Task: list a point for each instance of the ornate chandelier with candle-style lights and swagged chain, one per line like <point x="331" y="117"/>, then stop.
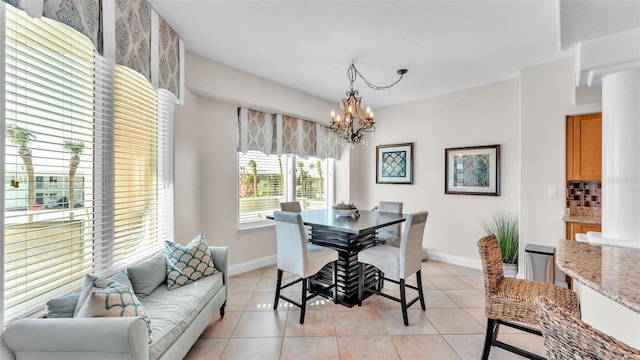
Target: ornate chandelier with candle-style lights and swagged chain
<point x="352" y="111"/>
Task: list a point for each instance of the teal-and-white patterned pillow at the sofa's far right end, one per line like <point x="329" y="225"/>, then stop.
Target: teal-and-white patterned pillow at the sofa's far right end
<point x="186" y="264"/>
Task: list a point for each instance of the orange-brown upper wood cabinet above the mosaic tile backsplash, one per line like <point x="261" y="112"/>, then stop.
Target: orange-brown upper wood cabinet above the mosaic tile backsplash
<point x="584" y="147"/>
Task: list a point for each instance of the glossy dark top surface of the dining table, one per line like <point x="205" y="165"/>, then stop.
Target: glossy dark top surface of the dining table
<point x="328" y="218"/>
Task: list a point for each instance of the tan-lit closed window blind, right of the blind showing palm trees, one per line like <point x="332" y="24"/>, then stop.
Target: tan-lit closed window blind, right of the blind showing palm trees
<point x="135" y="156"/>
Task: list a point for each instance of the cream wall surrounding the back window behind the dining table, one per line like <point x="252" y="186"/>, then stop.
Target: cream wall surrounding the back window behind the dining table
<point x="206" y="158"/>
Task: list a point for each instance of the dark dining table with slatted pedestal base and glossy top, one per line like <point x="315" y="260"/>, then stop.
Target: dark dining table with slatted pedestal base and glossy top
<point x="348" y="235"/>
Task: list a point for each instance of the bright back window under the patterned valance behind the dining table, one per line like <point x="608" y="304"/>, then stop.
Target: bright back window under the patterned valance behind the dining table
<point x="266" y="181"/>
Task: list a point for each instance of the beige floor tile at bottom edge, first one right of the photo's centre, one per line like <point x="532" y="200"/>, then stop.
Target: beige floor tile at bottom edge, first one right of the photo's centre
<point x="366" y="347"/>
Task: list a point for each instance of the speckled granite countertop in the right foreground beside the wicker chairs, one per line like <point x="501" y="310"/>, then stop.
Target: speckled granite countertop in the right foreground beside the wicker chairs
<point x="609" y="270"/>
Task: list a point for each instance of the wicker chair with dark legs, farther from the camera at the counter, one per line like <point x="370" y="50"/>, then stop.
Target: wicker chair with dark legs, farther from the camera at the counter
<point x="510" y="300"/>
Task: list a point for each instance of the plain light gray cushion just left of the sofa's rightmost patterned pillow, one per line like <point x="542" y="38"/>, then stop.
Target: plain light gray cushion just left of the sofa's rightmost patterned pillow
<point x="148" y="275"/>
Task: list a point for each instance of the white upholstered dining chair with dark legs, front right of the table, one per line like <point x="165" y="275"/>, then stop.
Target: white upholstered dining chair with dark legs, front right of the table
<point x="398" y="263"/>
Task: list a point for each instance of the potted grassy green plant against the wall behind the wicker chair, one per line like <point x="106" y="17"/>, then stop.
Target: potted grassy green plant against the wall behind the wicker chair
<point x="504" y="225"/>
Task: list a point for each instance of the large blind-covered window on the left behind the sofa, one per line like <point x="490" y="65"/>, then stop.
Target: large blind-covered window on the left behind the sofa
<point x="87" y="164"/>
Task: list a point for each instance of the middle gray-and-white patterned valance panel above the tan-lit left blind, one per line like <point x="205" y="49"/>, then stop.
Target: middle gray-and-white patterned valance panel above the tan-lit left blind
<point x="133" y="35"/>
